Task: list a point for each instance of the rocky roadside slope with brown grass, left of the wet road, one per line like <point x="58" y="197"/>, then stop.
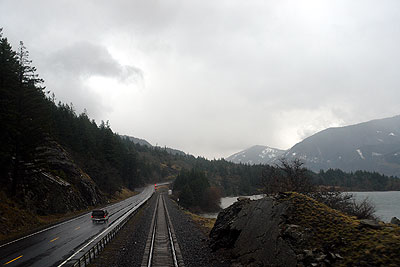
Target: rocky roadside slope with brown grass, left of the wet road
<point x="60" y="189"/>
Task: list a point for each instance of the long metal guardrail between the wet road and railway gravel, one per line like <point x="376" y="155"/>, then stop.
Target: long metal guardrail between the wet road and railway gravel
<point x="95" y="250"/>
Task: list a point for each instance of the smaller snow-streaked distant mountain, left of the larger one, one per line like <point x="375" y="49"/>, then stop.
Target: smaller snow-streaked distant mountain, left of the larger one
<point x="256" y="155"/>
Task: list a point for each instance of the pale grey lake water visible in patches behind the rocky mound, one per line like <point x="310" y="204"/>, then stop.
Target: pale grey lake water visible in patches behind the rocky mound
<point x="387" y="203"/>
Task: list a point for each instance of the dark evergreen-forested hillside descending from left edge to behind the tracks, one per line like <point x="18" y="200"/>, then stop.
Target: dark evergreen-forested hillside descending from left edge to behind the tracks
<point x="31" y="121"/>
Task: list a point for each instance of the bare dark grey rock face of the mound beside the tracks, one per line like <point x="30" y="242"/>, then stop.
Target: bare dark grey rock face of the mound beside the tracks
<point x="252" y="230"/>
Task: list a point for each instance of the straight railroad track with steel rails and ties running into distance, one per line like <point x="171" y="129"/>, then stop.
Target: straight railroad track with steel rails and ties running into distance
<point x="162" y="248"/>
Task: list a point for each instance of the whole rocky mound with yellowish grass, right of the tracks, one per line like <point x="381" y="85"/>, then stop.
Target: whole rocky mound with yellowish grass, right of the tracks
<point x="294" y="230"/>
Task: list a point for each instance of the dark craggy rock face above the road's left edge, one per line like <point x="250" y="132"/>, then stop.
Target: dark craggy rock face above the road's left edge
<point x="60" y="186"/>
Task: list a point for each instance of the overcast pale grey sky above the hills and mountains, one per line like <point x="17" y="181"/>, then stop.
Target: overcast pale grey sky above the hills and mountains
<point x="212" y="78"/>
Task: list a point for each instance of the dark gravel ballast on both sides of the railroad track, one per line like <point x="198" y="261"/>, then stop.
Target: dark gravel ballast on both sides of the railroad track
<point x="128" y="246"/>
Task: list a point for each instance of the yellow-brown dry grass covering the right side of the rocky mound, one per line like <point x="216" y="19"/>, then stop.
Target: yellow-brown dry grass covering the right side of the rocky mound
<point x="332" y="230"/>
